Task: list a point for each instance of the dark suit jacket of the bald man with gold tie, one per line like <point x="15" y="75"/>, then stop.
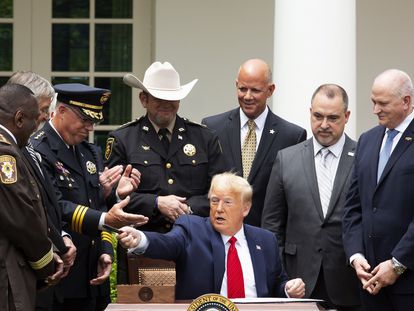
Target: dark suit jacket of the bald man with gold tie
<point x="277" y="134"/>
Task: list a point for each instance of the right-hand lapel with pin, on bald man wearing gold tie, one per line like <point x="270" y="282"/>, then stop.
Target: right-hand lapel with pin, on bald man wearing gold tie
<point x="269" y="134"/>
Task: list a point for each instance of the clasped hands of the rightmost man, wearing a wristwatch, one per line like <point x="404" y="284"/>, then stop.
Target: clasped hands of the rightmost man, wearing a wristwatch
<point x="372" y="281"/>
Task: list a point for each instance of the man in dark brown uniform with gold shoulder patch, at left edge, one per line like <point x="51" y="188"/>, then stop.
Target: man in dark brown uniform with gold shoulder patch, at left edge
<point x="26" y="253"/>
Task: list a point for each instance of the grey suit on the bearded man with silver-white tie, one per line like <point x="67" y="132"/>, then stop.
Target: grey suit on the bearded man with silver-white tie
<point x="308" y="240"/>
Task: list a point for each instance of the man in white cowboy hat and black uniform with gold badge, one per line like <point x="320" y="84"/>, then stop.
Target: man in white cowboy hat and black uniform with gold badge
<point x="176" y="157"/>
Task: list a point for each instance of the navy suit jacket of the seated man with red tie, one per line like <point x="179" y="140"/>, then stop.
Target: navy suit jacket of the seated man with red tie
<point x="199" y="254"/>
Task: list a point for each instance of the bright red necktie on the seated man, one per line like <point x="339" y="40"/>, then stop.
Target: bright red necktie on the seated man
<point x="235" y="283"/>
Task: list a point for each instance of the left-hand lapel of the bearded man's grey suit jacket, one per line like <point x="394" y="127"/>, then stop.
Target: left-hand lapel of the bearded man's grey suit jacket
<point x="308" y="160"/>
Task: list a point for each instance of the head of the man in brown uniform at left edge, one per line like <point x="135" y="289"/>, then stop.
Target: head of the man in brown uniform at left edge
<point x="18" y="111"/>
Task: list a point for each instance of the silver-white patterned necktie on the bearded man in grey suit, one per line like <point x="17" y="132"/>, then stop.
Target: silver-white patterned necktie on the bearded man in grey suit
<point x="324" y="180"/>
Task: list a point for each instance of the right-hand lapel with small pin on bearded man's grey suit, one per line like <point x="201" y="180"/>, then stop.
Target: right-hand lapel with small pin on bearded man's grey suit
<point x="344" y="167"/>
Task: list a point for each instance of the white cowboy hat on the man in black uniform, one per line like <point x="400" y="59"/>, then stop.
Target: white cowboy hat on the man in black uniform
<point x="161" y="81"/>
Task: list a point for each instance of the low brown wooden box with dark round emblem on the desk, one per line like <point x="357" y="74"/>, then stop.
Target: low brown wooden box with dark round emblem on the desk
<point x="135" y="293"/>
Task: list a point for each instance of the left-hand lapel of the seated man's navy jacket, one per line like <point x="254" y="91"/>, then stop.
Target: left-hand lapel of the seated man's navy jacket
<point x="218" y="259"/>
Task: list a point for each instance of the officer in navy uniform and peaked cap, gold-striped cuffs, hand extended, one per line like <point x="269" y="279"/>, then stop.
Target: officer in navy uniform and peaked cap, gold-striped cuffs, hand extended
<point x="74" y="166"/>
